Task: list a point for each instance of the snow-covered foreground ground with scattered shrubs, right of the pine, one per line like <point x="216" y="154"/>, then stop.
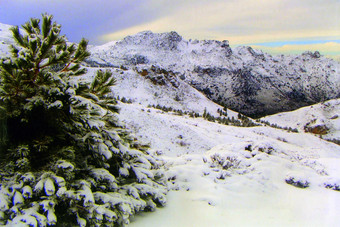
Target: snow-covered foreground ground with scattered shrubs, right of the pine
<point x="251" y="189"/>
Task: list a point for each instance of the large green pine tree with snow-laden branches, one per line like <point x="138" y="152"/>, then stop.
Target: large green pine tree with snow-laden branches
<point x="64" y="157"/>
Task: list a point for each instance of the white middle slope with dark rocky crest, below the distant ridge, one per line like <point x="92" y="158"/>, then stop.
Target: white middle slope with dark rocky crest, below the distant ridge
<point x="157" y="88"/>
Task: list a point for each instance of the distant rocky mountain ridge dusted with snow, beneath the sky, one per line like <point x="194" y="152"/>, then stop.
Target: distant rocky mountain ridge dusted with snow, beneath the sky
<point x="247" y="80"/>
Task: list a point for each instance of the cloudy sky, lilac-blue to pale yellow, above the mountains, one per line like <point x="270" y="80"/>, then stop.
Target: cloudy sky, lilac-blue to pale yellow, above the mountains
<point x="277" y="26"/>
